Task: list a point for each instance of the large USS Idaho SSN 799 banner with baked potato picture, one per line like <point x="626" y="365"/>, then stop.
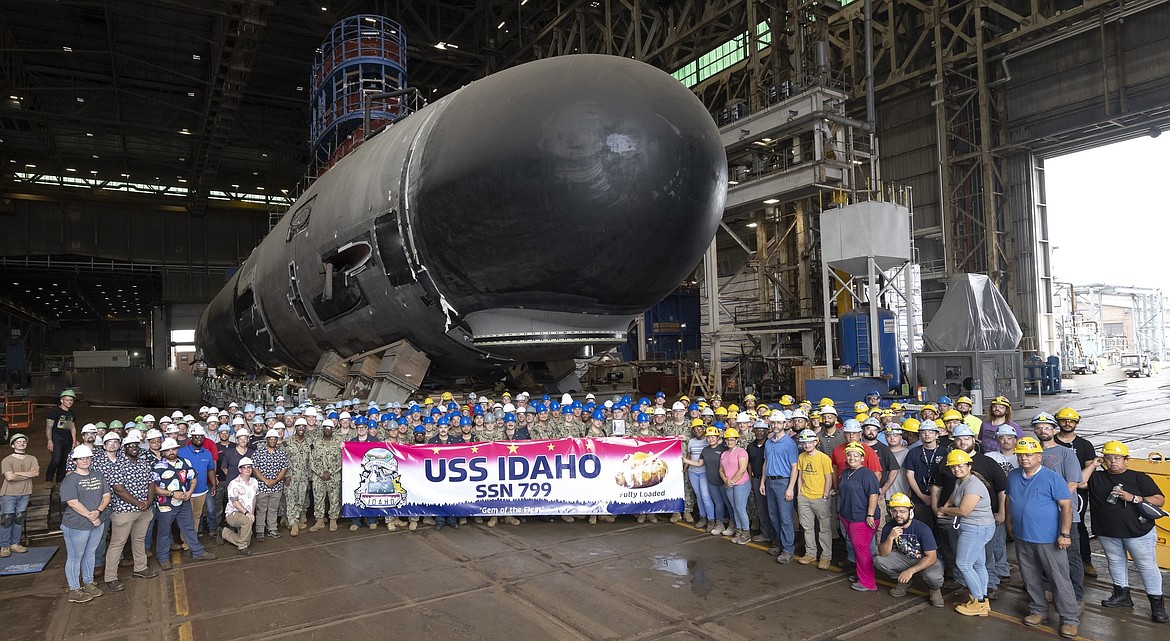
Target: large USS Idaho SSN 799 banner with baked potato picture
<point x="563" y="477"/>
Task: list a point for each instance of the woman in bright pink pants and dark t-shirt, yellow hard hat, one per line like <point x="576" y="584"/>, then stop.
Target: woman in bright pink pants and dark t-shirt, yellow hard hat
<point x="858" y="508"/>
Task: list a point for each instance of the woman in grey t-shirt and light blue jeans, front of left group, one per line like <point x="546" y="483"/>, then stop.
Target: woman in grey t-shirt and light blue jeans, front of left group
<point x="85" y="495"/>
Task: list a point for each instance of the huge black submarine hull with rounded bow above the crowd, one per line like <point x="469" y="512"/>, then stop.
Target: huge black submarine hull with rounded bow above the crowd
<point x="525" y="218"/>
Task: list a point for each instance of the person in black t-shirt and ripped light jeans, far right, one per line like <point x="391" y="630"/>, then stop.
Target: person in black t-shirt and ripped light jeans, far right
<point x="1117" y="494"/>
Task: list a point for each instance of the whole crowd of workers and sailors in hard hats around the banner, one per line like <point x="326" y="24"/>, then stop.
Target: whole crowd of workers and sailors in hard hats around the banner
<point x="935" y="497"/>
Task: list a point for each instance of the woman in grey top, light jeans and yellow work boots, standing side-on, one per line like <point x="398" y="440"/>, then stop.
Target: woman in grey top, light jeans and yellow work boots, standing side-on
<point x="971" y="505"/>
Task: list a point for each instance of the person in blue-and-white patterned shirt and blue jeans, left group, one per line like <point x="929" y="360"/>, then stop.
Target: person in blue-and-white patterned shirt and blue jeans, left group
<point x="175" y="484"/>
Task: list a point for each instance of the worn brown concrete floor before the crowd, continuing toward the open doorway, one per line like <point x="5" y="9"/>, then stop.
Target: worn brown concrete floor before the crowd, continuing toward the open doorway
<point x="558" y="581"/>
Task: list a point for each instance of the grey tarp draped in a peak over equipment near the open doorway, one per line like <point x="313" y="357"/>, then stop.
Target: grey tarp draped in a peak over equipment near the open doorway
<point x="974" y="318"/>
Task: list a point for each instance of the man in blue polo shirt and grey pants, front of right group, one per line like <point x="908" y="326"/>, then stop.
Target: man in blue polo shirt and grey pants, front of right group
<point x="1041" y="520"/>
